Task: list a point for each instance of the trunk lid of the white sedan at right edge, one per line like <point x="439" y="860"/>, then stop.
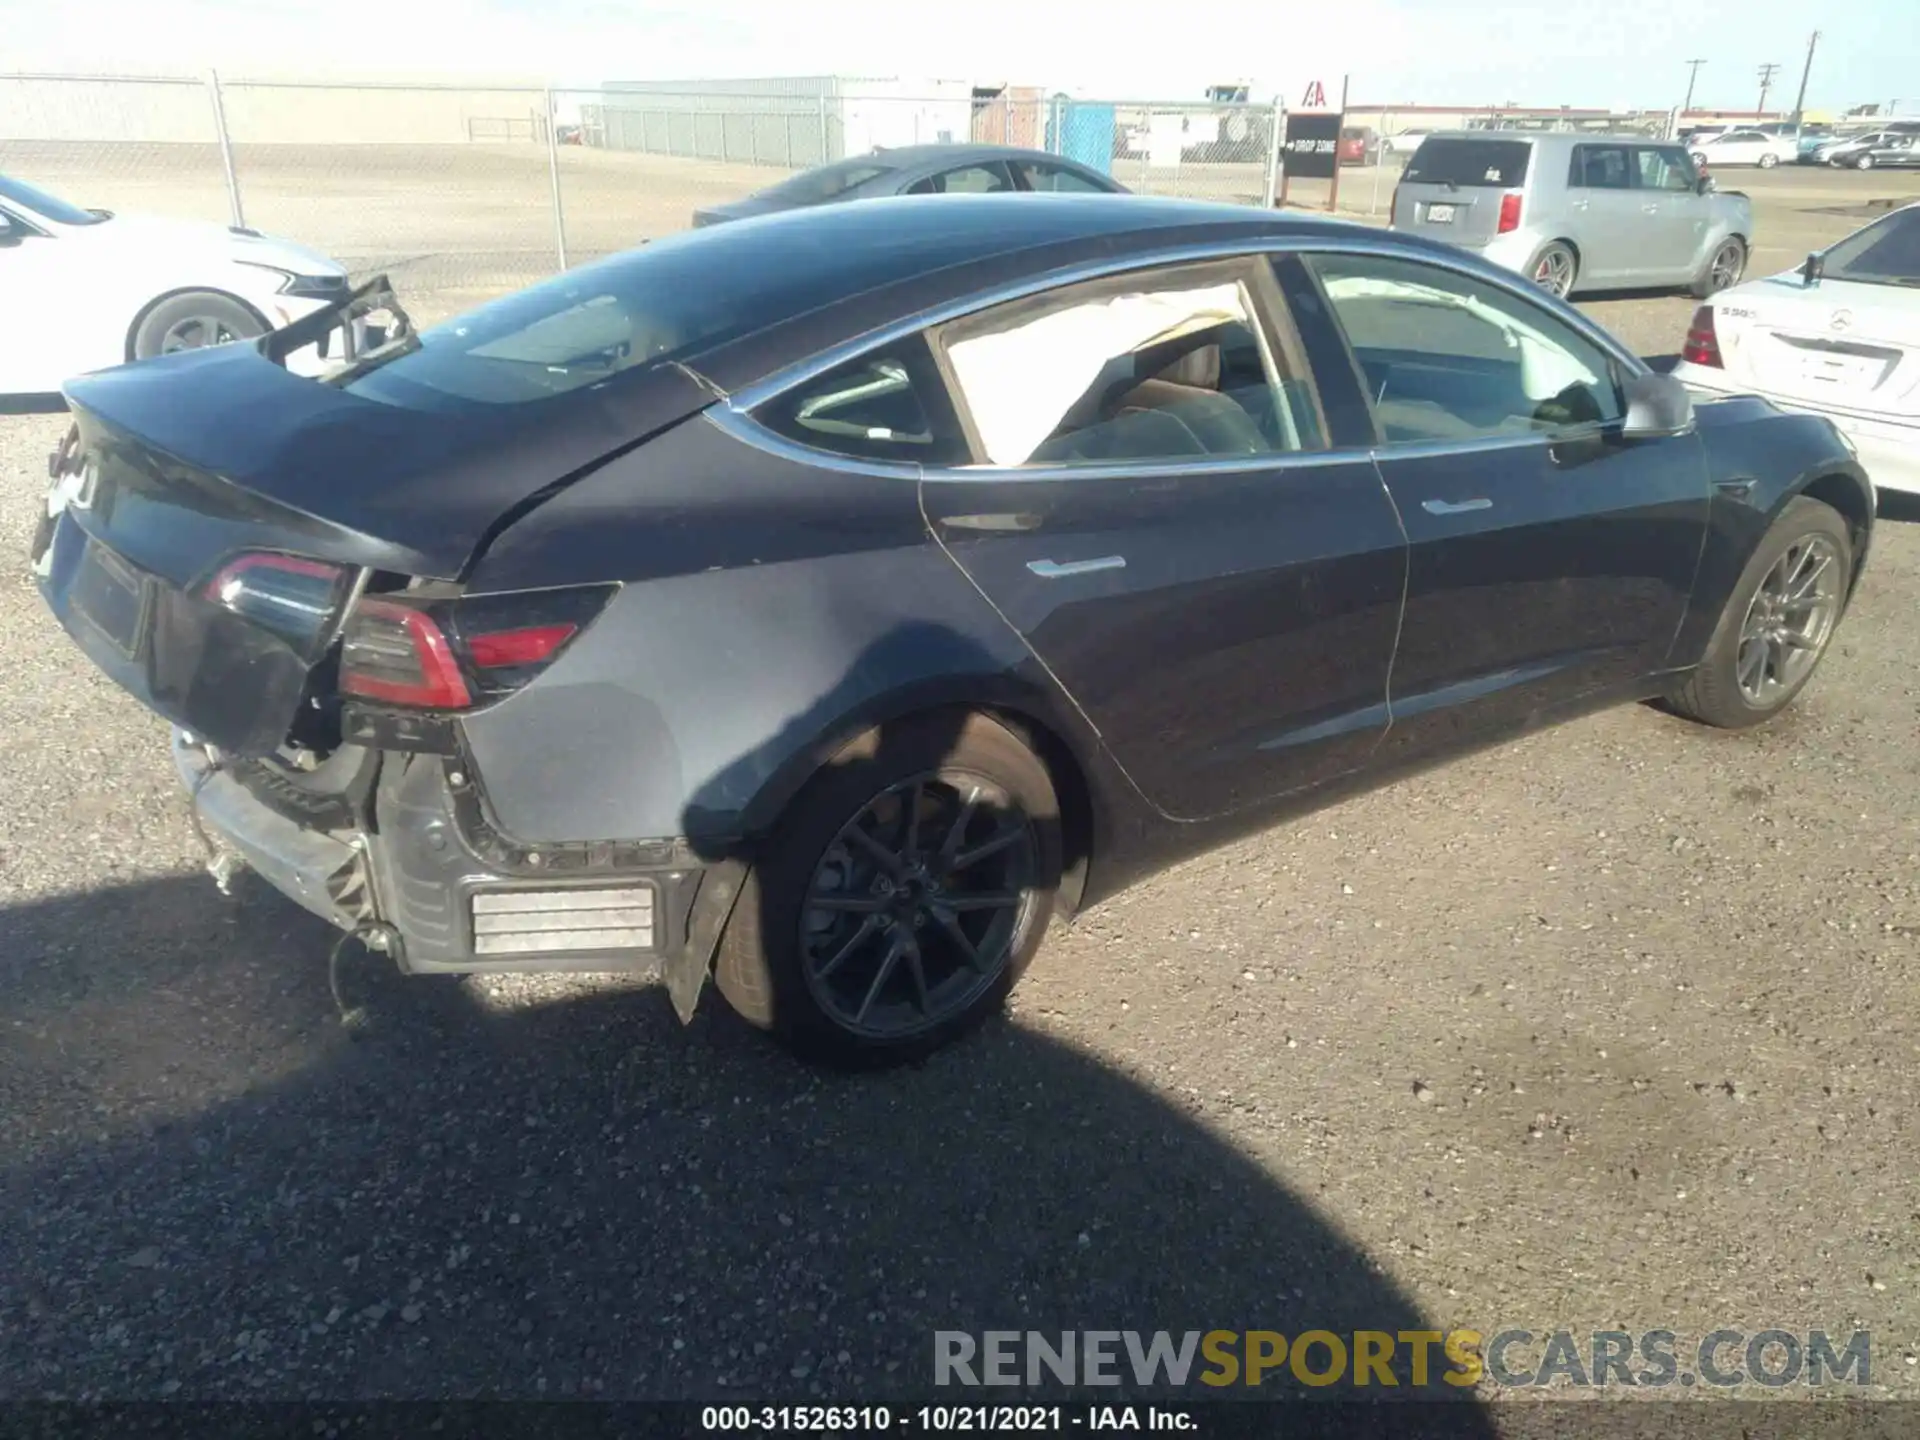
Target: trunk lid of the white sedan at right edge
<point x="1833" y="347"/>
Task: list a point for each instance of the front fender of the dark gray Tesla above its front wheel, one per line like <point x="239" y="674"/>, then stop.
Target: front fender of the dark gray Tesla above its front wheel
<point x="1760" y="458"/>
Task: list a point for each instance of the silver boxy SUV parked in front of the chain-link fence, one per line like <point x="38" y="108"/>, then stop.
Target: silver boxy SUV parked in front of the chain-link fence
<point x="1577" y="212"/>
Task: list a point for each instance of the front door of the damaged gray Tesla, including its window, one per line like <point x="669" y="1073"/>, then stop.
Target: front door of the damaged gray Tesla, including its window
<point x="1548" y="558"/>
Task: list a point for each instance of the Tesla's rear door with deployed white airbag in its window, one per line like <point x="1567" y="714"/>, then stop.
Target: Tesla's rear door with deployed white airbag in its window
<point x="1157" y="512"/>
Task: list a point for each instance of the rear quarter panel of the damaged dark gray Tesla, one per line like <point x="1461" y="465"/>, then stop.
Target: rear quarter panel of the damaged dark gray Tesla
<point x="769" y="613"/>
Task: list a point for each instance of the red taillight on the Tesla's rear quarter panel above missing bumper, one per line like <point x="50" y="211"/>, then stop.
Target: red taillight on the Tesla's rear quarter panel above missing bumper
<point x="452" y="654"/>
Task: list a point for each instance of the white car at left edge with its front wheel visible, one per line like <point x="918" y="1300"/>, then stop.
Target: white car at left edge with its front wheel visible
<point x="87" y="289"/>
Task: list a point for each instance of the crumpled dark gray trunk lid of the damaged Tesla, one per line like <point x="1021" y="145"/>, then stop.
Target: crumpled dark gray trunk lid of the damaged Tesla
<point x="191" y="462"/>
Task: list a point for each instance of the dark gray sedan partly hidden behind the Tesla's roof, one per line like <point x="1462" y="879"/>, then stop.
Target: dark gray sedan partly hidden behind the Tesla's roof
<point x="921" y="172"/>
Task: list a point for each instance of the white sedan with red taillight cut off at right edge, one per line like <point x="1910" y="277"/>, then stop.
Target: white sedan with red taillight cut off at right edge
<point x="1838" y="337"/>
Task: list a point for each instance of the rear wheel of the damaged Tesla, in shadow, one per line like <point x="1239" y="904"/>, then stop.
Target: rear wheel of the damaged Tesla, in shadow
<point x="901" y="898"/>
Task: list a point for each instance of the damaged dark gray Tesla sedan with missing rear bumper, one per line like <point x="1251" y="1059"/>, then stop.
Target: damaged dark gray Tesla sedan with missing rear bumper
<point x="823" y="602"/>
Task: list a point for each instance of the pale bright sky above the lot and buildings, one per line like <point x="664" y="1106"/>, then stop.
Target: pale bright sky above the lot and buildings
<point x="1474" y="53"/>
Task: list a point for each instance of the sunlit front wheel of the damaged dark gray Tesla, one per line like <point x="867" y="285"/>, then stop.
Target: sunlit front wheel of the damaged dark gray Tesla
<point x="1779" y="621"/>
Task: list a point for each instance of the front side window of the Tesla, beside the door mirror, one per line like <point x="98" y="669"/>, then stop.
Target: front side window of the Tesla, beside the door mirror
<point x="1449" y="358"/>
